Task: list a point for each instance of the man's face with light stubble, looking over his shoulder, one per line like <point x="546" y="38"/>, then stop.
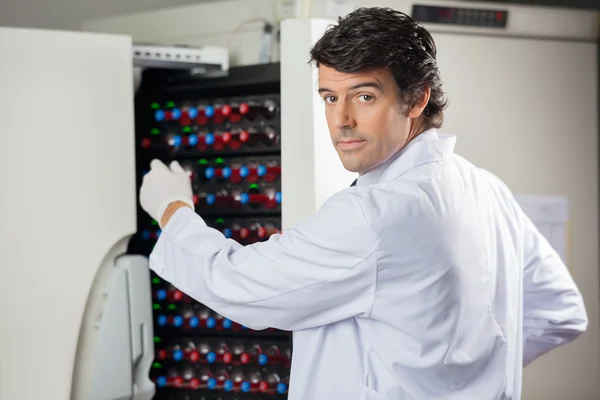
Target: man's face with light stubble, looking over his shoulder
<point x="366" y="120"/>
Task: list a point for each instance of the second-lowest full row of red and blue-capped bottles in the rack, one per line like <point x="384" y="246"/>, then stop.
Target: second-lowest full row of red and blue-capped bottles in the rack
<point x="226" y="352"/>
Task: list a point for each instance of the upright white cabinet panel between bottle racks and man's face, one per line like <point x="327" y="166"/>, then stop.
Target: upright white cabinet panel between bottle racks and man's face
<point x="311" y="169"/>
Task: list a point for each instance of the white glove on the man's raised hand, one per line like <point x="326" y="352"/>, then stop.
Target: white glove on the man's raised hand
<point x="161" y="186"/>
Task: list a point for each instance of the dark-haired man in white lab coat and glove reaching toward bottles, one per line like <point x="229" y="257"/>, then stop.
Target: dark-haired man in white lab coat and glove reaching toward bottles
<point x="423" y="281"/>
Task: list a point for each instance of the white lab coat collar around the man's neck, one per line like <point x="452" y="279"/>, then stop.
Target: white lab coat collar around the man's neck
<point x="429" y="146"/>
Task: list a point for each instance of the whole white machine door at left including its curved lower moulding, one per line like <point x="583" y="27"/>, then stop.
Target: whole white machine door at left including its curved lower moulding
<point x="75" y="308"/>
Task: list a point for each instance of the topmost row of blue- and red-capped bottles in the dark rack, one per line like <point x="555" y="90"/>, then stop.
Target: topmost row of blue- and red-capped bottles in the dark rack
<point x="219" y="112"/>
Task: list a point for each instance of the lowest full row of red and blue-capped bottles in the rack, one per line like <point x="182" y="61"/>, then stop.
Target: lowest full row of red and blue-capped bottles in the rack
<point x="236" y="380"/>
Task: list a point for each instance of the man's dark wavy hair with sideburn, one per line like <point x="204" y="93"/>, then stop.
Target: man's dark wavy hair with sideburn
<point x="382" y="38"/>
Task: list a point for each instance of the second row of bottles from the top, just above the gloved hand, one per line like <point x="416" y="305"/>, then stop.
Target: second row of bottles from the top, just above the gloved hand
<point x="221" y="140"/>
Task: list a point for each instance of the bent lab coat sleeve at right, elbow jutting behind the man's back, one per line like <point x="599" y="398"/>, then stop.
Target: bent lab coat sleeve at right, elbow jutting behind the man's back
<point x="553" y="309"/>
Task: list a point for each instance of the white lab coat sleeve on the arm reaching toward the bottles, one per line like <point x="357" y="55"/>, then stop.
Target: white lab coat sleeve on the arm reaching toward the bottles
<point x="316" y="273"/>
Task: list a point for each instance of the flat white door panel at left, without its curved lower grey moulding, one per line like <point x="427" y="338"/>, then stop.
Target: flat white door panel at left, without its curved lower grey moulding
<point x="67" y="183"/>
